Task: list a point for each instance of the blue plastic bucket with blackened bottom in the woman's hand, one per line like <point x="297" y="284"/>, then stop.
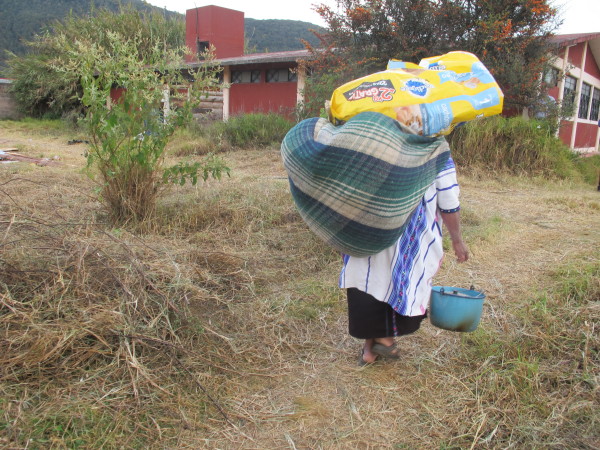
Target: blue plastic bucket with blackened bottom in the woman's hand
<point x="455" y="309"/>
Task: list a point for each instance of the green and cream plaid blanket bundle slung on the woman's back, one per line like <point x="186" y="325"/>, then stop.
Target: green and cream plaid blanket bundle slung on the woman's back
<point x="356" y="185"/>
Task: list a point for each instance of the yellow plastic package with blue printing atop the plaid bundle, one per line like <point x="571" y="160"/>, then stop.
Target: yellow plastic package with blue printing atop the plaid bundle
<point x="430" y="98"/>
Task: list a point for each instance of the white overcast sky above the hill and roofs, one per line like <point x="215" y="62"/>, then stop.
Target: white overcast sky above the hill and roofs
<point x="580" y="16"/>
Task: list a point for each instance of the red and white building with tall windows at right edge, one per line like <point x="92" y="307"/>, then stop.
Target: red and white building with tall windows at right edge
<point x="575" y="77"/>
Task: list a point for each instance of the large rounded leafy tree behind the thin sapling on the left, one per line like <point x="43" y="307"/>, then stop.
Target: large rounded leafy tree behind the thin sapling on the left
<point x="42" y="91"/>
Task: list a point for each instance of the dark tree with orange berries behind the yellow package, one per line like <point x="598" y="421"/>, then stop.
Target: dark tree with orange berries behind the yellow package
<point x="509" y="36"/>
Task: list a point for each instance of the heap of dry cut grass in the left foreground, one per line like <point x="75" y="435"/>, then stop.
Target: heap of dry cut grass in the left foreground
<point x="97" y="342"/>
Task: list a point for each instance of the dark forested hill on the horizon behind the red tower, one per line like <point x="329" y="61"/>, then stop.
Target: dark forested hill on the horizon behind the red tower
<point x="22" y="19"/>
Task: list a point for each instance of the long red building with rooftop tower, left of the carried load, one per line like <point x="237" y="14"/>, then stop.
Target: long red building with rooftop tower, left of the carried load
<point x="261" y="82"/>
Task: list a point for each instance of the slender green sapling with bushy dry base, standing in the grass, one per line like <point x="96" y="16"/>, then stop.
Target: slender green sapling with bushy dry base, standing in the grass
<point x="129" y="134"/>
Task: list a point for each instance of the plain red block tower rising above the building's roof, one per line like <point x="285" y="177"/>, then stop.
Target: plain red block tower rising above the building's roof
<point x="222" y="27"/>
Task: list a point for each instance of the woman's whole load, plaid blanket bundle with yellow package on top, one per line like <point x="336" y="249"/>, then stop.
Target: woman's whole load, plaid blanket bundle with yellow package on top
<point x="357" y="178"/>
